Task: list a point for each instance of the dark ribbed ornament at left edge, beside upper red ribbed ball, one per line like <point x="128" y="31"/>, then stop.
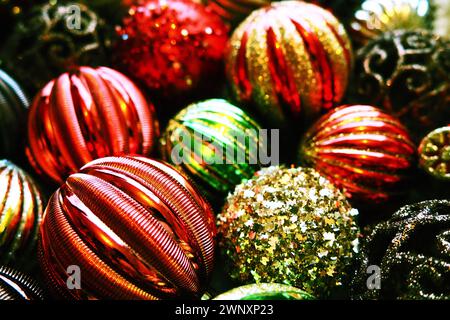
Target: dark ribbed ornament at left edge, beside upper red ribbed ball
<point x="13" y="107"/>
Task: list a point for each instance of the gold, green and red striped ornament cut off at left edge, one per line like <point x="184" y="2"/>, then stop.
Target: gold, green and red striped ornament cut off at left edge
<point x="20" y="215"/>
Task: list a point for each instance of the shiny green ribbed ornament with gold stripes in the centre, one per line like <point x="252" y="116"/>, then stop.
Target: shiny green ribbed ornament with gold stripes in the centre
<point x="214" y="143"/>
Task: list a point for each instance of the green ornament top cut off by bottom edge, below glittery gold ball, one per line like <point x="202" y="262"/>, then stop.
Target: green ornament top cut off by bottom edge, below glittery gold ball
<point x="265" y="291"/>
